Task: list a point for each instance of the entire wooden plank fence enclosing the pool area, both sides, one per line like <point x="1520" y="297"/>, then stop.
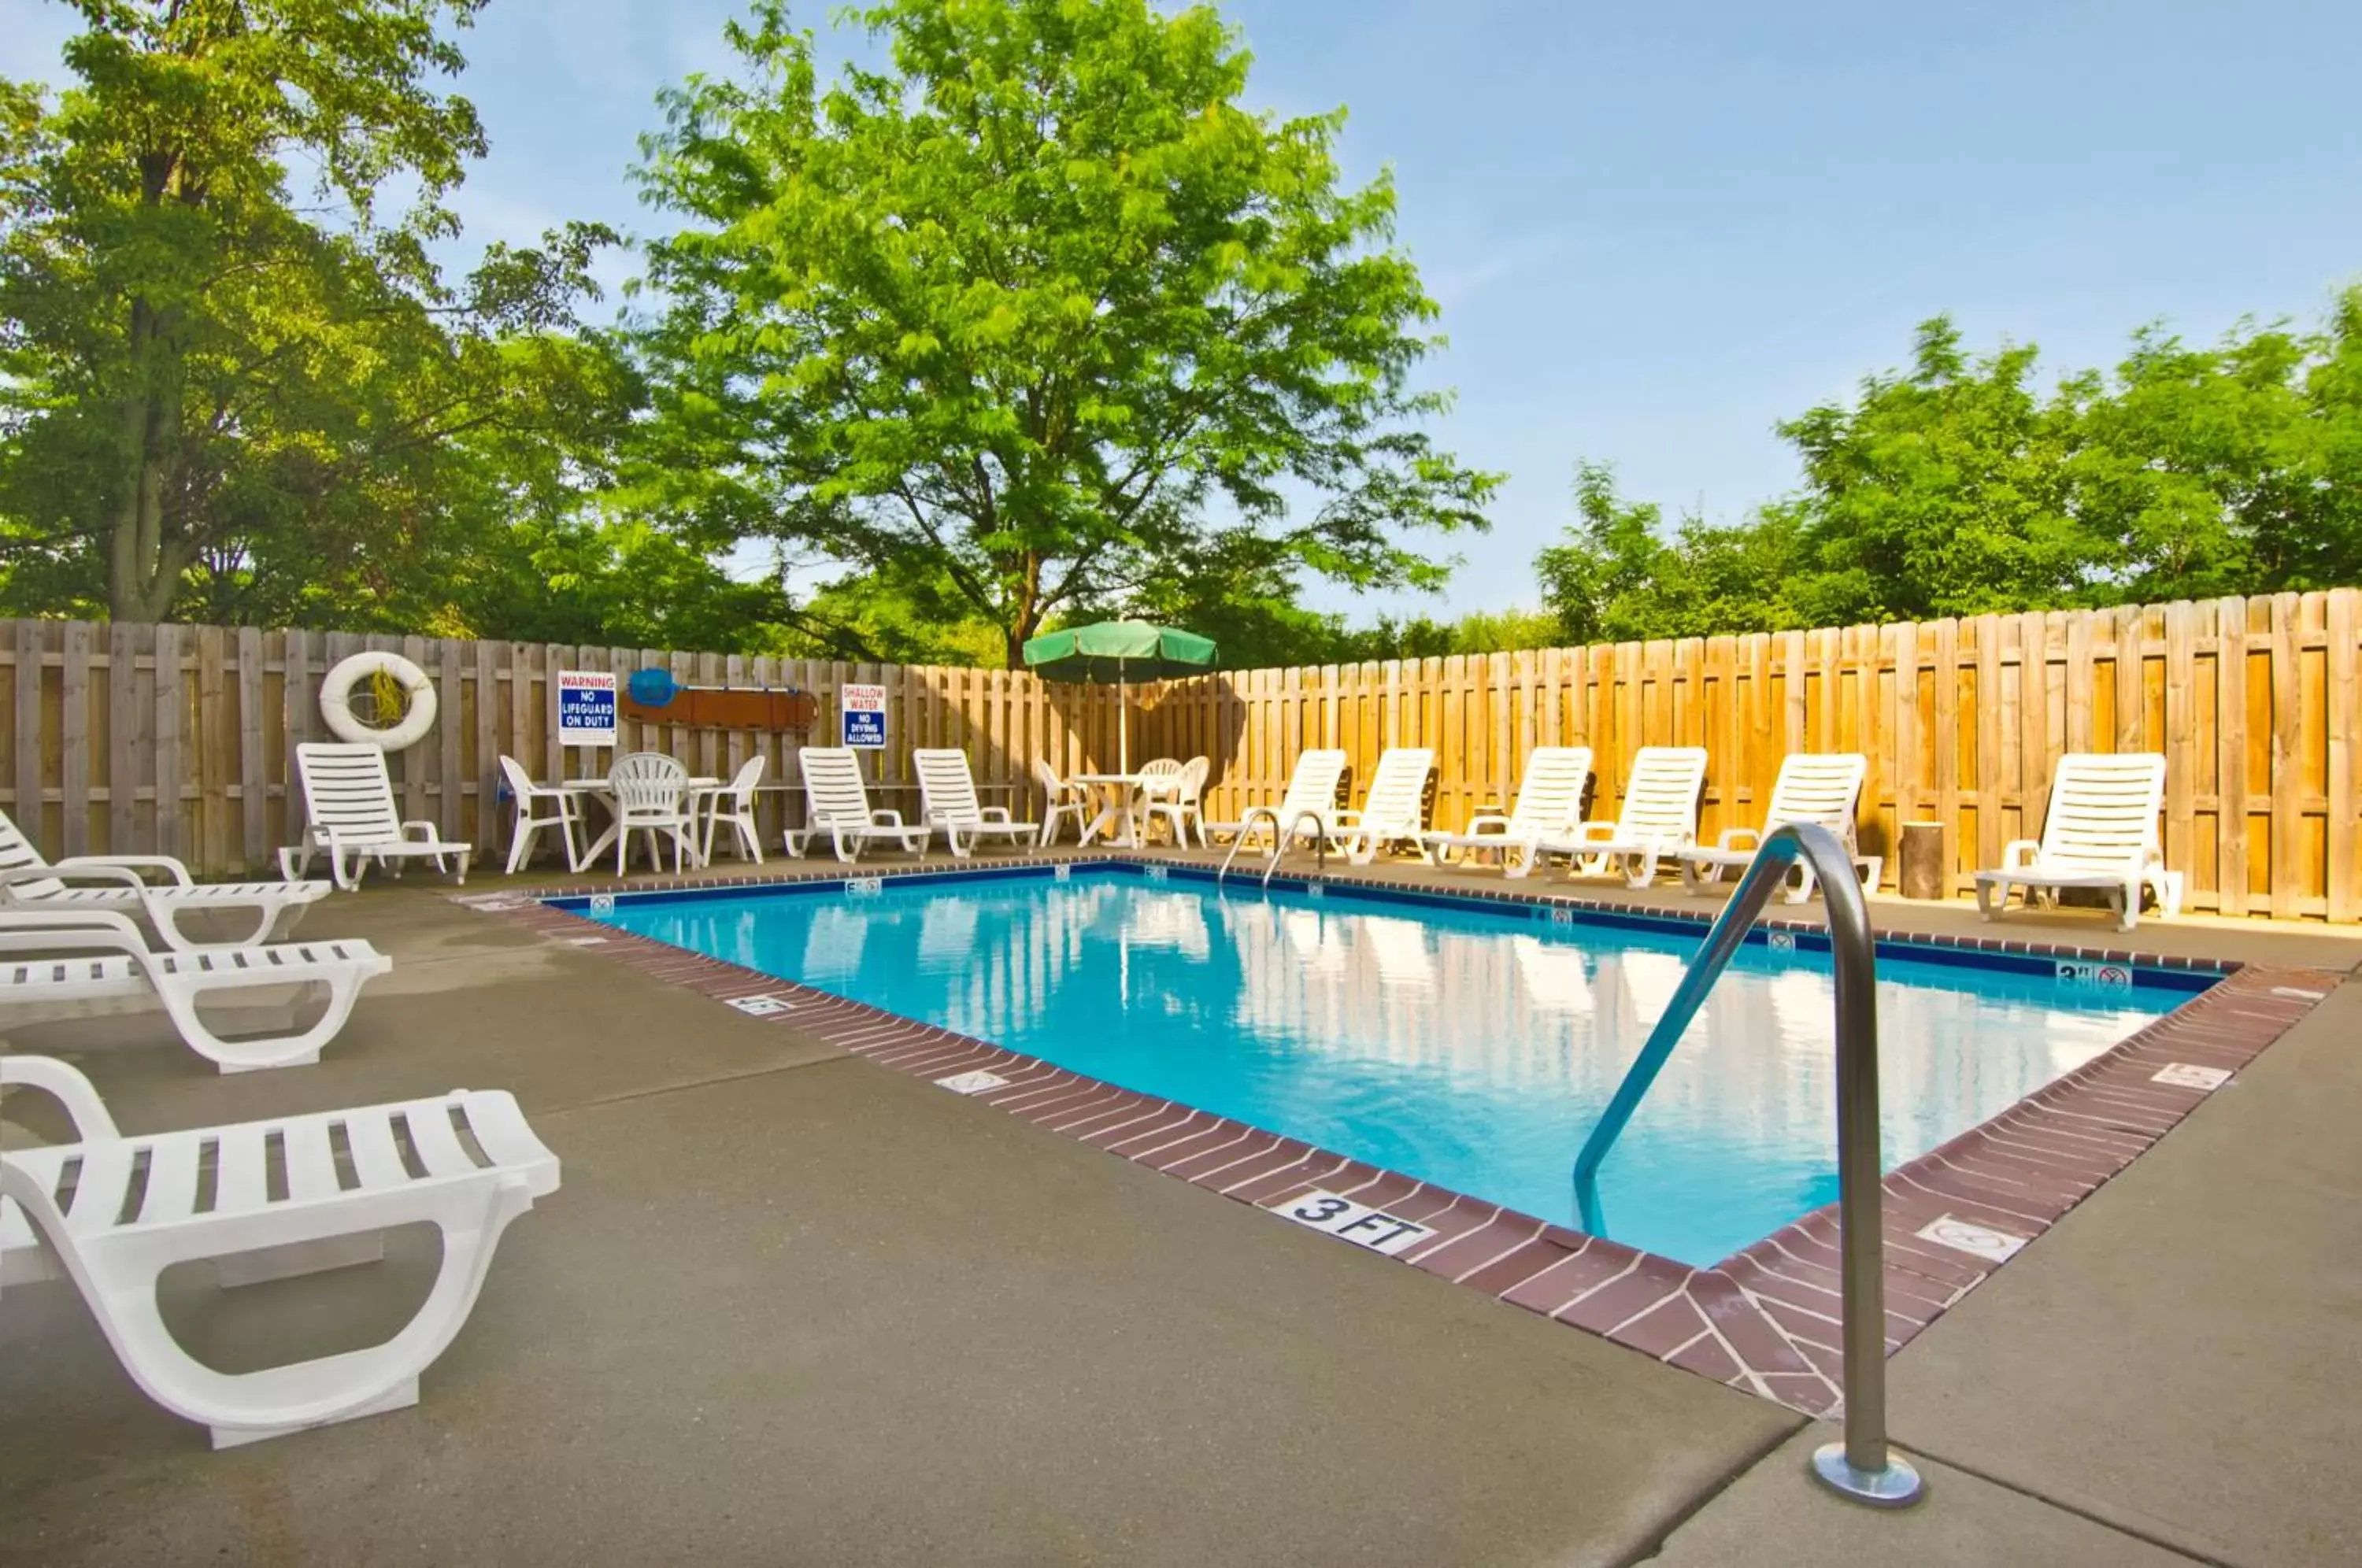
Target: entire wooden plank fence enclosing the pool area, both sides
<point x="181" y="740"/>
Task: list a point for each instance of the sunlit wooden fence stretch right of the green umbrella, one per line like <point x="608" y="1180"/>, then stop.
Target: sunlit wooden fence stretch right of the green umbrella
<point x="2255" y="705"/>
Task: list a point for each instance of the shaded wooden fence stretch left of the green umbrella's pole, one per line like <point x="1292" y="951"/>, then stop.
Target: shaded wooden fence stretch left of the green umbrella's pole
<point x="181" y="740"/>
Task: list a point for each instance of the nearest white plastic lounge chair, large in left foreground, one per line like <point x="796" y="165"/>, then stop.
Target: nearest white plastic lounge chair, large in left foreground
<point x="74" y="1196"/>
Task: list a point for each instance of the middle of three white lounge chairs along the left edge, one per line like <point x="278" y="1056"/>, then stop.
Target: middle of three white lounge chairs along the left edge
<point x="110" y="960"/>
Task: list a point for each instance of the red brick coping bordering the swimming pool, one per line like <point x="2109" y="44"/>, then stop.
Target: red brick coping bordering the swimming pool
<point x="1763" y="1319"/>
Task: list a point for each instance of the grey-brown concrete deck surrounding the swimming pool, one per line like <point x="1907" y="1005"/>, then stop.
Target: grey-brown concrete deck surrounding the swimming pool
<point x="797" y="1309"/>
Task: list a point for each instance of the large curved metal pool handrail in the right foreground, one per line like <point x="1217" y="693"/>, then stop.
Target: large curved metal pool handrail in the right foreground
<point x="1860" y="1468"/>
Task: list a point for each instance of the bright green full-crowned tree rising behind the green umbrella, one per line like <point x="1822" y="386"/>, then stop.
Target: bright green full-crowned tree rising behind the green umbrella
<point x="1040" y="311"/>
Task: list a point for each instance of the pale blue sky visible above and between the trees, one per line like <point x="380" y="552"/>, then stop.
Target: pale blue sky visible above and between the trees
<point x="1657" y="230"/>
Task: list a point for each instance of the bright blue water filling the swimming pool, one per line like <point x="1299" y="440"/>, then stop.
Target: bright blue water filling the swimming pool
<point x="1463" y="1045"/>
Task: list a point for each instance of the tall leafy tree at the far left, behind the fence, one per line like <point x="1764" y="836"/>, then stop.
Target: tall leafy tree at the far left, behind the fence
<point x="218" y="403"/>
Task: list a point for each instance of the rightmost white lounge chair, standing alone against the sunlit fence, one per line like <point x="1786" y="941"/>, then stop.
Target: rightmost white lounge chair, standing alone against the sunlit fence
<point x="2101" y="832"/>
